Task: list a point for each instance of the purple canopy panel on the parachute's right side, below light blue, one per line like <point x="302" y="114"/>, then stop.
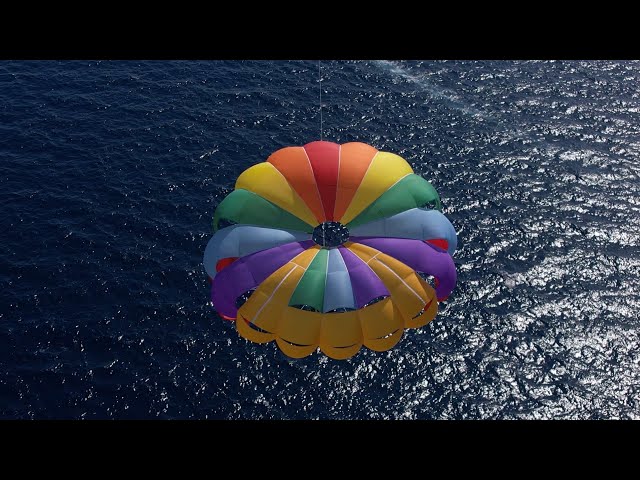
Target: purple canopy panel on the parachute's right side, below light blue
<point x="420" y="256"/>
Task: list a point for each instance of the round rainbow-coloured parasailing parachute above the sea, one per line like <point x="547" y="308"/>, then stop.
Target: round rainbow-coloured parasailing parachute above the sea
<point x="330" y="246"/>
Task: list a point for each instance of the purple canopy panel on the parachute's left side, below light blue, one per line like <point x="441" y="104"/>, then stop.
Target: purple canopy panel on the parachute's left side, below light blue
<point x="249" y="272"/>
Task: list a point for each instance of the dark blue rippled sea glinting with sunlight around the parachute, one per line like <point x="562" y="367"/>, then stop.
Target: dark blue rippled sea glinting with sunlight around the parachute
<point x="110" y="172"/>
